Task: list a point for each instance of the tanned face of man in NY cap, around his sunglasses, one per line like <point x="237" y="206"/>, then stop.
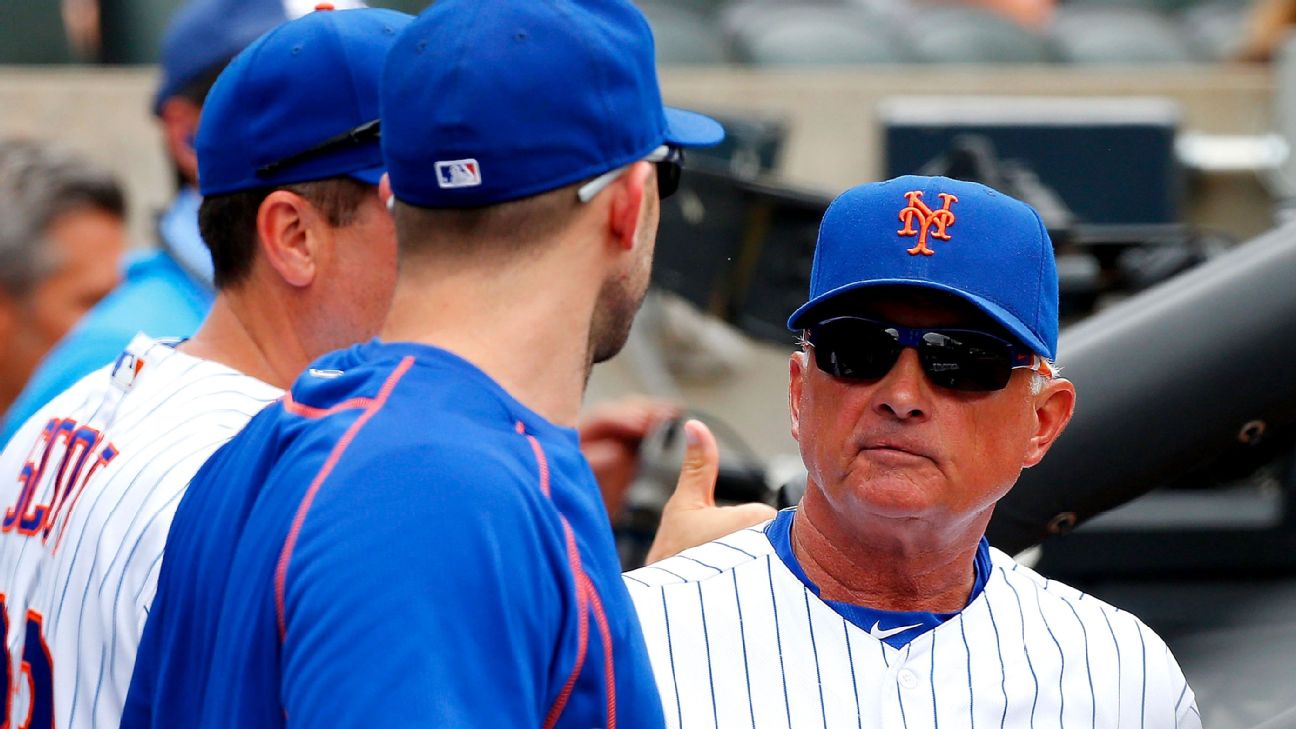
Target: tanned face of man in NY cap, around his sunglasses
<point x="901" y="448"/>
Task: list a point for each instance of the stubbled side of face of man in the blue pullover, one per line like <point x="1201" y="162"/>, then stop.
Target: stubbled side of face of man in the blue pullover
<point x="624" y="293"/>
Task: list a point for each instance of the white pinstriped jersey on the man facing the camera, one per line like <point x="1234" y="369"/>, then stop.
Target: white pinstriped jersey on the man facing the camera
<point x="738" y="640"/>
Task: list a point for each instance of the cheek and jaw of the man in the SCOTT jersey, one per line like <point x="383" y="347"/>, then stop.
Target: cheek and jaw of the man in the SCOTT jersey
<point x="362" y="277"/>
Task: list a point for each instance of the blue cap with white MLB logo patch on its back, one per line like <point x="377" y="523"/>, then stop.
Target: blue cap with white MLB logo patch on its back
<point x="484" y="103"/>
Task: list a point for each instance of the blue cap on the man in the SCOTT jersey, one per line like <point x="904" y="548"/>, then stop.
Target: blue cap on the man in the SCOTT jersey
<point x="300" y="104"/>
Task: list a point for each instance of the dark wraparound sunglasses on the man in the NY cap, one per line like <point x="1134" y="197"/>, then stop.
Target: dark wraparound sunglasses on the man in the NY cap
<point x="853" y="348"/>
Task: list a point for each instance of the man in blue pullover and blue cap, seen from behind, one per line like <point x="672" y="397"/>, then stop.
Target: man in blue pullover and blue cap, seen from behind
<point x="411" y="538"/>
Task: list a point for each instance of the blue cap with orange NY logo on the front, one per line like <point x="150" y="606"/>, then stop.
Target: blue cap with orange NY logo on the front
<point x="947" y="235"/>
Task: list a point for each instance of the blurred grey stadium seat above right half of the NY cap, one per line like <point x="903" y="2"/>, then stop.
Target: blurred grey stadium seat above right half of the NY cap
<point x="971" y="36"/>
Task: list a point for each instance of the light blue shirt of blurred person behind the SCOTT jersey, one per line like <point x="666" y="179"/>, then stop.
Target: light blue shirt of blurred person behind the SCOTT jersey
<point x="164" y="294"/>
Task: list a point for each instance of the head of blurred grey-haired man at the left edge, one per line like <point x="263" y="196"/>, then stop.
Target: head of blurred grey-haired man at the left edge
<point x="62" y="242"/>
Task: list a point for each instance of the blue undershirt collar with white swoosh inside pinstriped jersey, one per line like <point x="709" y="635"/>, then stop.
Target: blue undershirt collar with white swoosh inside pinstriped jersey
<point x="894" y="628"/>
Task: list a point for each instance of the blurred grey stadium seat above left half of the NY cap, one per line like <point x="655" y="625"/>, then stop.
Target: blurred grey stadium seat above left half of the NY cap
<point x="781" y="36"/>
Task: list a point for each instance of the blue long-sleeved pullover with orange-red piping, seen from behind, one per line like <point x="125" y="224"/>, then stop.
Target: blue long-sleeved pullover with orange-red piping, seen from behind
<point x="399" y="543"/>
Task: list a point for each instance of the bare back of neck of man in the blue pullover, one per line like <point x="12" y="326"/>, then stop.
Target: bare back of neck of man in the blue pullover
<point x="526" y="326"/>
